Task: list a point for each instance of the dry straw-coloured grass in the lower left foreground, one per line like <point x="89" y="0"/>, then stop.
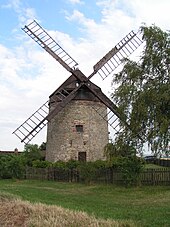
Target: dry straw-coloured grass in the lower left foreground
<point x="15" y="212"/>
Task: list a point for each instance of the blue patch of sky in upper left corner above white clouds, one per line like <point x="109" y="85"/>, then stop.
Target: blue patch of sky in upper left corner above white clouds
<point x="49" y="12"/>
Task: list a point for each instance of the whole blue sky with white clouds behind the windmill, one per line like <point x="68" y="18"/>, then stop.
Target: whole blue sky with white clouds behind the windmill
<point x="86" y="29"/>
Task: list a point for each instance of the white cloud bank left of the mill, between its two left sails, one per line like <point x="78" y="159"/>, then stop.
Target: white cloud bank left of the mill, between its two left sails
<point x="27" y="77"/>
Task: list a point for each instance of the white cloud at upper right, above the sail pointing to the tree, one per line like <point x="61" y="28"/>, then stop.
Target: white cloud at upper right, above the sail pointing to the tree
<point x="118" y="18"/>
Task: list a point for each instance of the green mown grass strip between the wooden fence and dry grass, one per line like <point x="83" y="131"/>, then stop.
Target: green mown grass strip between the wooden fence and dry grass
<point x="147" y="206"/>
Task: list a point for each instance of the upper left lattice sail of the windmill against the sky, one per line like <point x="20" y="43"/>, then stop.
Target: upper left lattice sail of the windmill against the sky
<point x="39" y="35"/>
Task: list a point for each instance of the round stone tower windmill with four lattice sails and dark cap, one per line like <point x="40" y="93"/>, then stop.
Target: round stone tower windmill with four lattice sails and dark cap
<point x="77" y="113"/>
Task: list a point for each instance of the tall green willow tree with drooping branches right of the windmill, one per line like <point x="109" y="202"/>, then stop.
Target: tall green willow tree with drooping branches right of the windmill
<point x="143" y="92"/>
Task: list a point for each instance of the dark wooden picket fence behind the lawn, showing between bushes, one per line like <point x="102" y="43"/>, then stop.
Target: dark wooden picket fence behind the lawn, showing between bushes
<point x="108" y="176"/>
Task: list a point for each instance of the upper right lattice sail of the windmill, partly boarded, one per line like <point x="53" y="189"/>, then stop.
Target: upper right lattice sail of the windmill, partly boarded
<point x="115" y="56"/>
